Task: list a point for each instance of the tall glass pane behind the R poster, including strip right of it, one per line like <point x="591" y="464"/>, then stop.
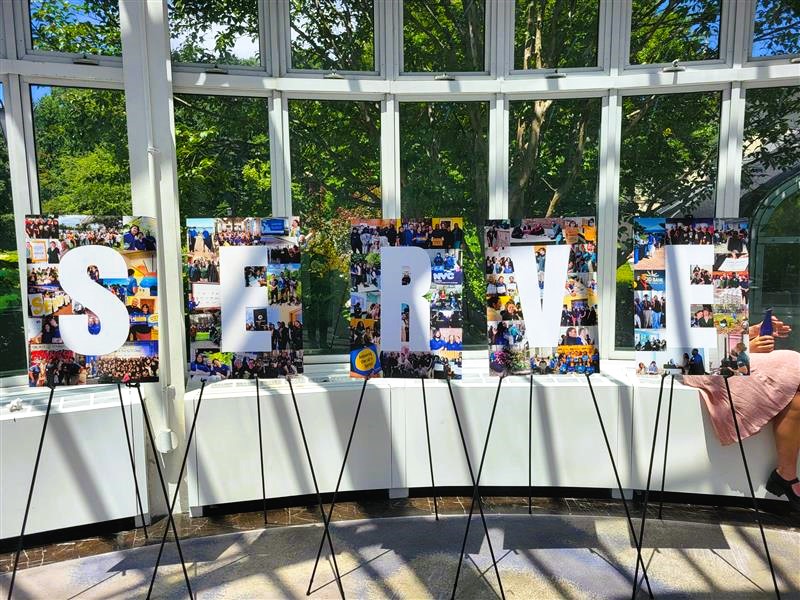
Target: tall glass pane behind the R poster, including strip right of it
<point x="444" y="157"/>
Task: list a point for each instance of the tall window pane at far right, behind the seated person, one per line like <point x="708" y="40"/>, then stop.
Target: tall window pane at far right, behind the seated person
<point x="771" y="198"/>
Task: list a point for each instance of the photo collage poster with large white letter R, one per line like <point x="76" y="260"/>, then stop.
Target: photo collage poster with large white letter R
<point x="406" y="314"/>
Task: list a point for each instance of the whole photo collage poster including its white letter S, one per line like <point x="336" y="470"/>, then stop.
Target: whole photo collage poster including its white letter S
<point x="113" y="305"/>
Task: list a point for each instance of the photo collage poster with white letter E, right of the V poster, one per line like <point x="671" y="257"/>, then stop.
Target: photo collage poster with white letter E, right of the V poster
<point x="691" y="283"/>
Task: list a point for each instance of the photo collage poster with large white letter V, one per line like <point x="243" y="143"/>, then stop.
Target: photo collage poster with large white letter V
<point x="515" y="268"/>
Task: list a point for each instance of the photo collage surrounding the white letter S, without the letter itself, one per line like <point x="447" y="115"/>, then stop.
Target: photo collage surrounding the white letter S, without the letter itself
<point x="48" y="239"/>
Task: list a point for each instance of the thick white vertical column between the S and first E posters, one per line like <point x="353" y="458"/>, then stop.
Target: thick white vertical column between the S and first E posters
<point x="154" y="188"/>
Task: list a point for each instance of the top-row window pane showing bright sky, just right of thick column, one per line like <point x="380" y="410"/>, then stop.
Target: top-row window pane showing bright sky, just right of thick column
<point x="214" y="32"/>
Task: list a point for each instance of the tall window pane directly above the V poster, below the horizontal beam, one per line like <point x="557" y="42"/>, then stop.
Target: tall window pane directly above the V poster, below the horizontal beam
<point x="554" y="157"/>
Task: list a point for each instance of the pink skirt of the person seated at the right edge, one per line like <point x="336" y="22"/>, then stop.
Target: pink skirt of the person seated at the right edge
<point x="773" y="381"/>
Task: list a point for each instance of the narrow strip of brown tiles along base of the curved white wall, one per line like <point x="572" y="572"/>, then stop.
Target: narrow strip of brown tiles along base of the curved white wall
<point x="245" y="521"/>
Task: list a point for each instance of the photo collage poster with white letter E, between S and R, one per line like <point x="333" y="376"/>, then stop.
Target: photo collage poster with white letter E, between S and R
<point x="276" y="307"/>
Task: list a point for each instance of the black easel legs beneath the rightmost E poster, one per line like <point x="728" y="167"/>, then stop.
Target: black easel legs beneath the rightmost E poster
<point x="666" y="446"/>
